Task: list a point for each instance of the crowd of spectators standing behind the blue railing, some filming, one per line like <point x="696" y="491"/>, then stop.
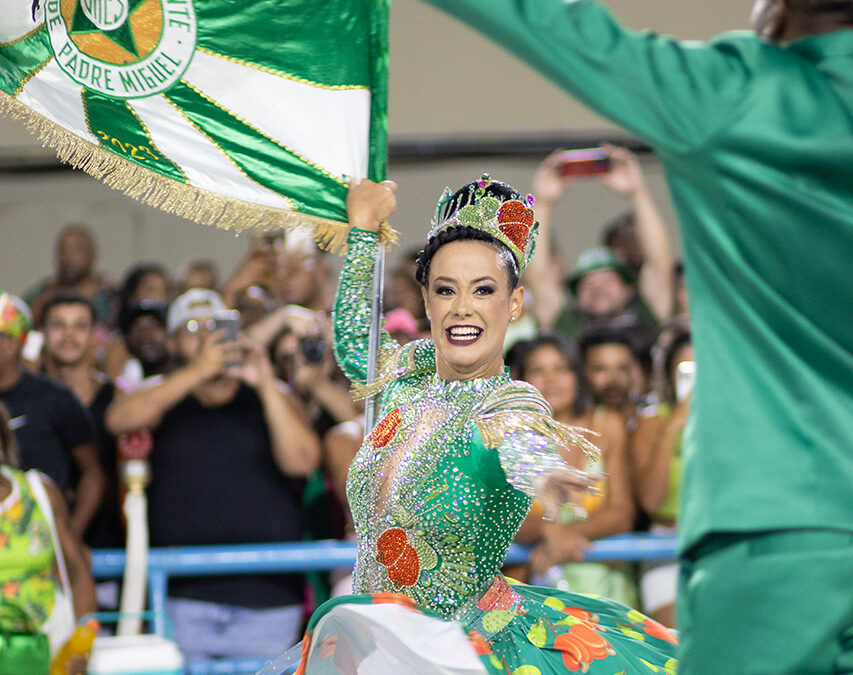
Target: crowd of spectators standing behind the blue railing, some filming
<point x="252" y="426"/>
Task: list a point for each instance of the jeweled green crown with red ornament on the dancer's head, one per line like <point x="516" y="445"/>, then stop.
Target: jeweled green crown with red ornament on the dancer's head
<point x="510" y="221"/>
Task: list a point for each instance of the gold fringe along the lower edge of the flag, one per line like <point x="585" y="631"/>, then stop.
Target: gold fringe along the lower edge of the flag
<point x="186" y="201"/>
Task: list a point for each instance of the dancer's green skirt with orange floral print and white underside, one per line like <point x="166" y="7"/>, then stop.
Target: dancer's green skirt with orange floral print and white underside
<point x="514" y="629"/>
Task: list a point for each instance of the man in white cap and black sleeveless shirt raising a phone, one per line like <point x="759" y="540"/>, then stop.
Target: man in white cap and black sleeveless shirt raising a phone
<point x="227" y="446"/>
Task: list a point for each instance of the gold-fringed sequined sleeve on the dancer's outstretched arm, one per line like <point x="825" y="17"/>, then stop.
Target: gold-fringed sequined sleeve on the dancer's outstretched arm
<point x="516" y="422"/>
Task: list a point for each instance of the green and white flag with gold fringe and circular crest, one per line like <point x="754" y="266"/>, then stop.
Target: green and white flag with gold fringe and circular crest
<point x="238" y="113"/>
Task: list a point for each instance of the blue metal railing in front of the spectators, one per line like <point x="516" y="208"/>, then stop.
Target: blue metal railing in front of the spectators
<point x="190" y="561"/>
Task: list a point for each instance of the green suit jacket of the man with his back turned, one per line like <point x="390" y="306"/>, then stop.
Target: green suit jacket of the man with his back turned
<point x="757" y="143"/>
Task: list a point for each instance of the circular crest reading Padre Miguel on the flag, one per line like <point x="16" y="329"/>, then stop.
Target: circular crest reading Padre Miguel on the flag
<point x="122" y="48"/>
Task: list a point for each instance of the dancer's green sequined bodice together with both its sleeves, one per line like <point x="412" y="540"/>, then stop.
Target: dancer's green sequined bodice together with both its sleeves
<point x="443" y="481"/>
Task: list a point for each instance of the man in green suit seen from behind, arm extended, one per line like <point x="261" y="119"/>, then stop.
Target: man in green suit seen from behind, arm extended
<point x="755" y="132"/>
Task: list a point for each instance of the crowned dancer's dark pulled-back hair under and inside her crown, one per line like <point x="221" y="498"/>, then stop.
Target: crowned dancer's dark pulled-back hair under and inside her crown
<point x="462" y="197"/>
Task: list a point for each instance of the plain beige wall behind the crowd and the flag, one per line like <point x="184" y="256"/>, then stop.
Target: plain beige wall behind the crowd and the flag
<point x="446" y="81"/>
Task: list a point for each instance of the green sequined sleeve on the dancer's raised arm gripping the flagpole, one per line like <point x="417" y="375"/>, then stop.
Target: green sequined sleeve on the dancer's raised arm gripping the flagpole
<point x="352" y="309"/>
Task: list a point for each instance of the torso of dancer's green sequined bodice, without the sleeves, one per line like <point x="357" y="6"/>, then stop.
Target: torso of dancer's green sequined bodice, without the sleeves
<point x="433" y="512"/>
